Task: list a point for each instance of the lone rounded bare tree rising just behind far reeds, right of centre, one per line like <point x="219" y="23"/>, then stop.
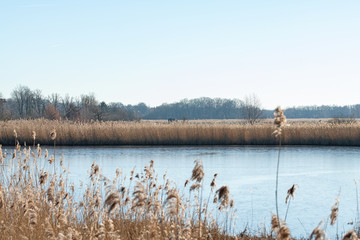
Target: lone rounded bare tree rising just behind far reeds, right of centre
<point x="252" y="108"/>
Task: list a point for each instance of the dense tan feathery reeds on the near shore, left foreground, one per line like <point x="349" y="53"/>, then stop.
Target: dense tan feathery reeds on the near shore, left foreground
<point x="40" y="202"/>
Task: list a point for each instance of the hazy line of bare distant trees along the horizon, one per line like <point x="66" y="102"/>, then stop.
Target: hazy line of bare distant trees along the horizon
<point x="29" y="104"/>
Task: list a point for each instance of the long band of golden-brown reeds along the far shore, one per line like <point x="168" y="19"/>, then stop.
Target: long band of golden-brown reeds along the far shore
<point x="179" y="133"/>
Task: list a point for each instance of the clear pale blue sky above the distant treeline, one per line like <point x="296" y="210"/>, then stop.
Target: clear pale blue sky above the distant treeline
<point x="288" y="53"/>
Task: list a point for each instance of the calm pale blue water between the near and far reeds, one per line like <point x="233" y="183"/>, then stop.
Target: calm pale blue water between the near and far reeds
<point x="321" y="173"/>
